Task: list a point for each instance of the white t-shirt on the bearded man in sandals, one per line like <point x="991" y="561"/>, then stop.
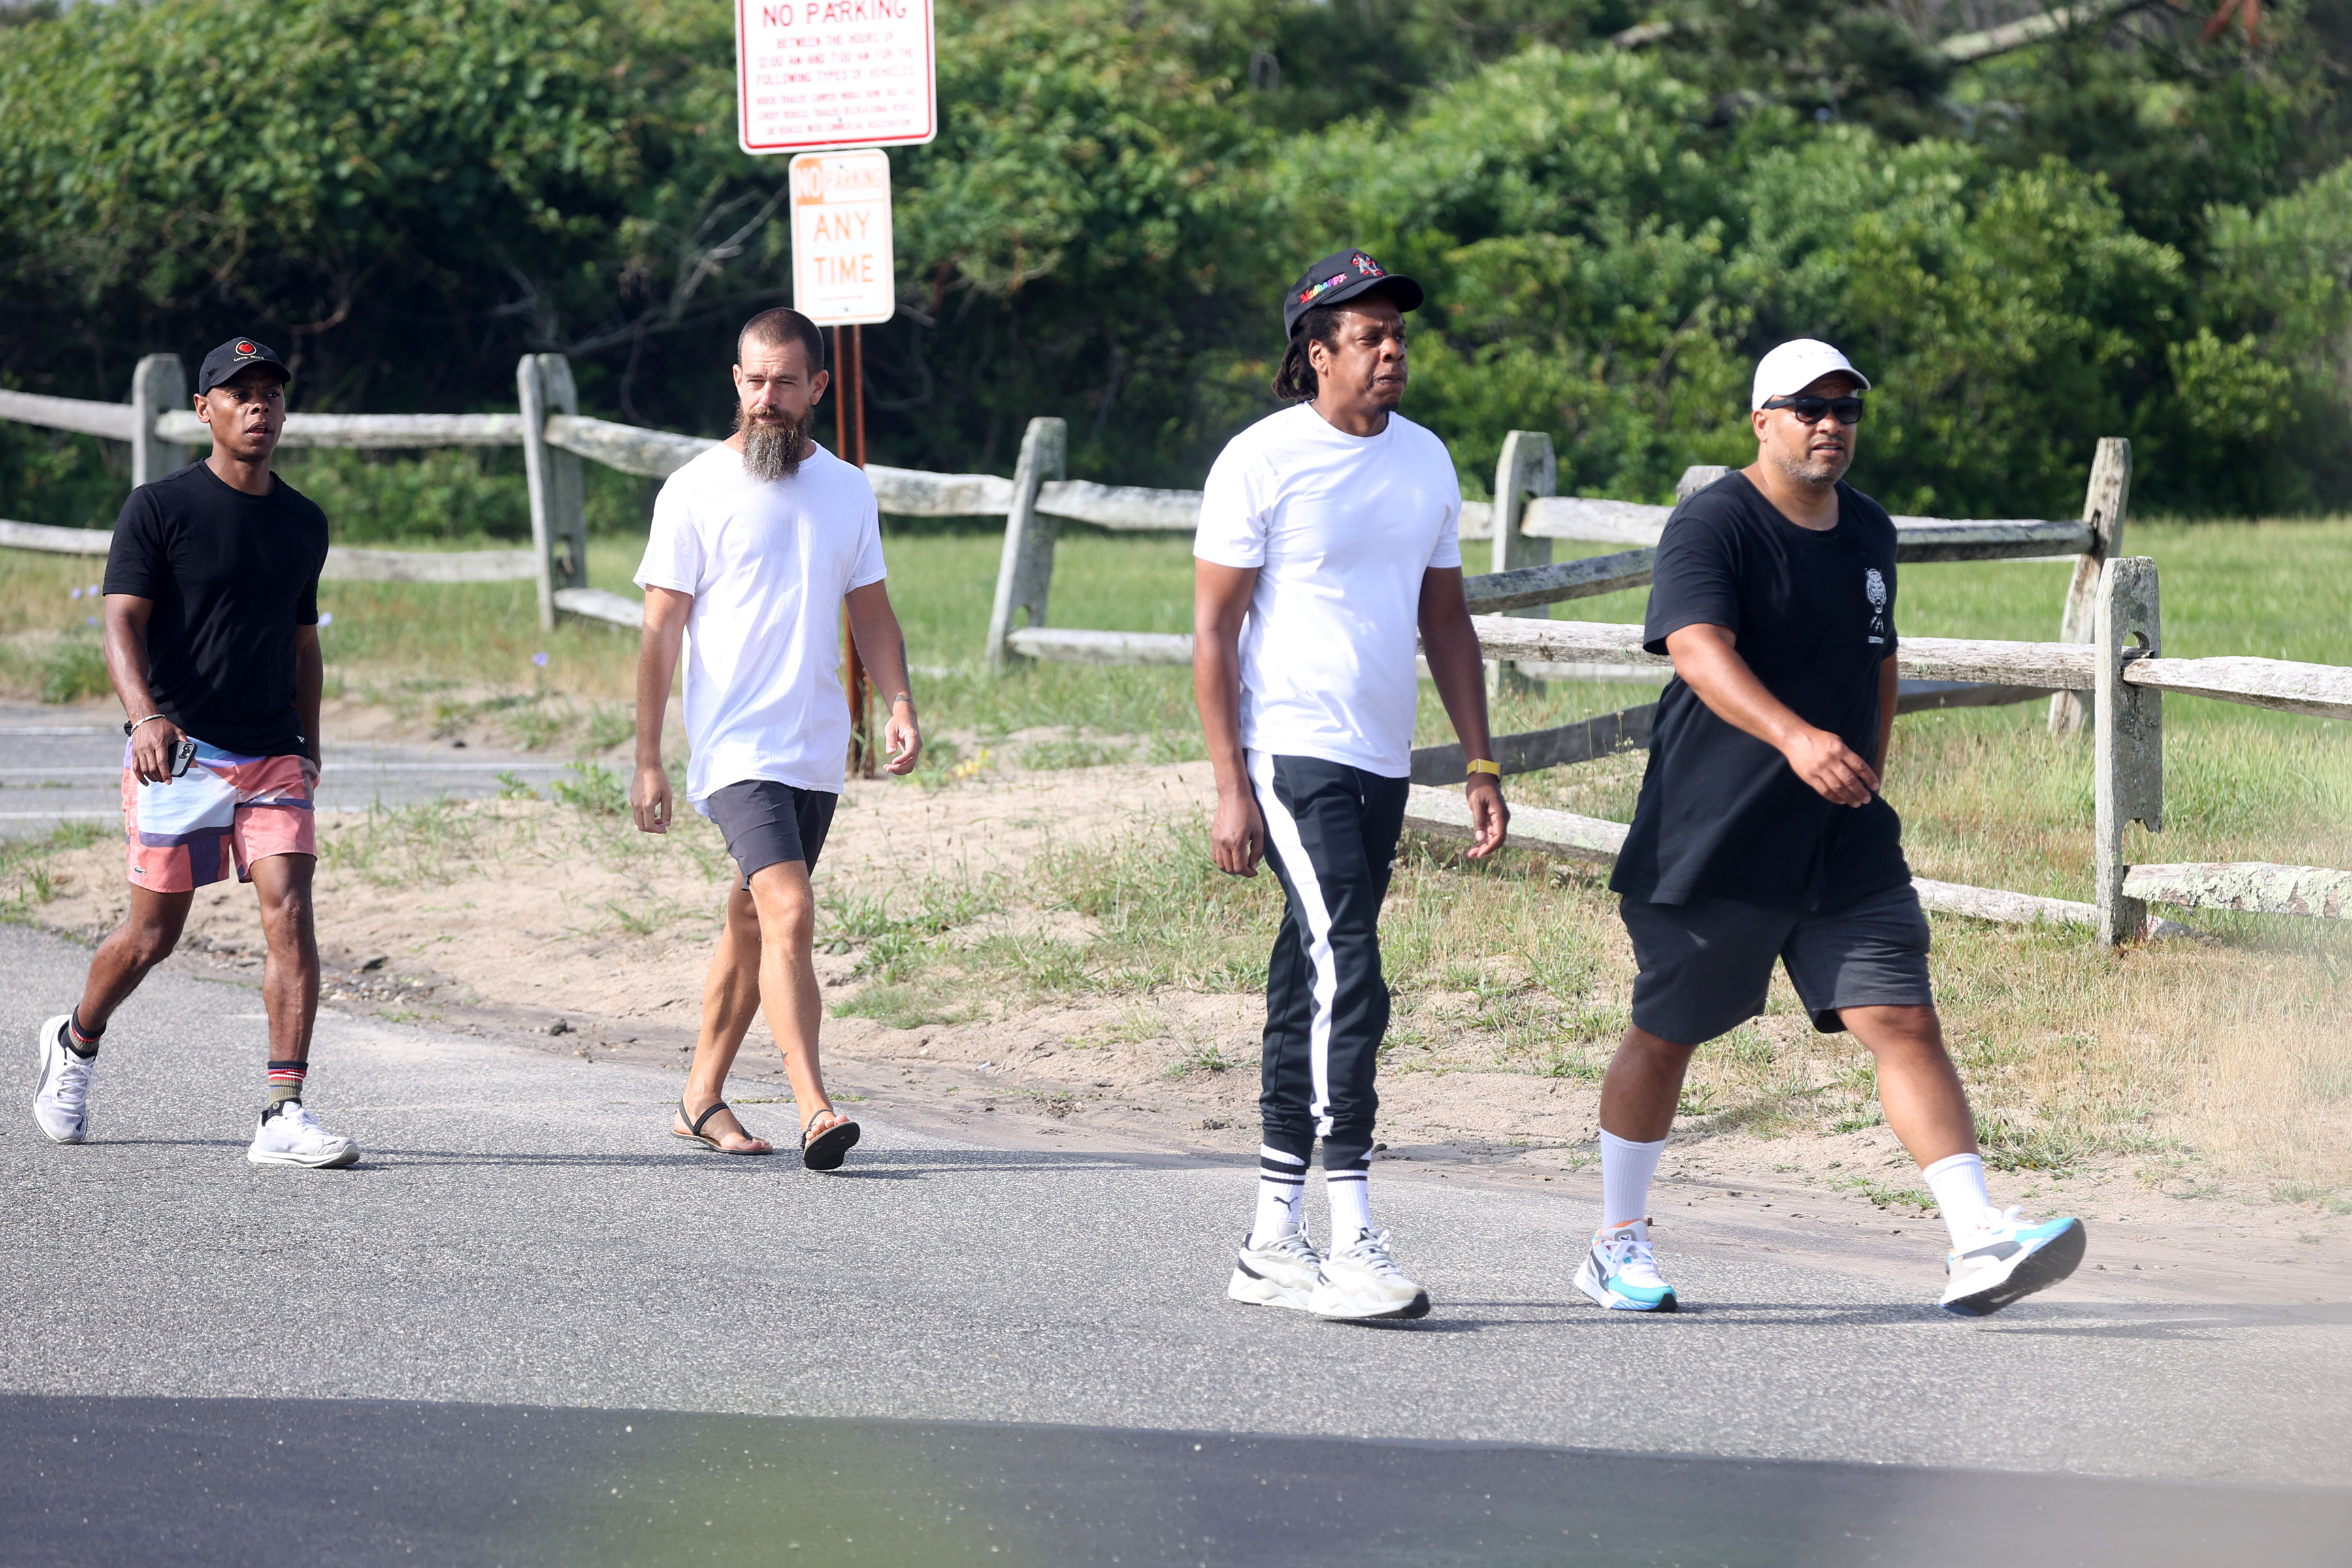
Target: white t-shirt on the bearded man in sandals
<point x="768" y="565"/>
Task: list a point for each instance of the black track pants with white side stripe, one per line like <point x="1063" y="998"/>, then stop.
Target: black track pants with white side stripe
<point x="1330" y="836"/>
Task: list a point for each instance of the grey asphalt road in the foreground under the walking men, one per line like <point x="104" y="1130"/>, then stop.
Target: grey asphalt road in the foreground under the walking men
<point x="530" y="1327"/>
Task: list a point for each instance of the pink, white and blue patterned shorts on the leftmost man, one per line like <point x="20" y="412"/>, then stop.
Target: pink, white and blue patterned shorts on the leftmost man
<point x="222" y="812"/>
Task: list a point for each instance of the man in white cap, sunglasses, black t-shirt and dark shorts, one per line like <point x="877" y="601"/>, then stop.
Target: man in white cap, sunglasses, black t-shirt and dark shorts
<point x="1763" y="836"/>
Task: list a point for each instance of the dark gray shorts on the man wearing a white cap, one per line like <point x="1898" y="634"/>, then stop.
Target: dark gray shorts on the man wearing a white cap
<point x="1706" y="965"/>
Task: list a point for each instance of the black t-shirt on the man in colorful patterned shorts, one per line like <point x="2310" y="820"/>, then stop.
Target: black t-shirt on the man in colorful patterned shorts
<point x="232" y="577"/>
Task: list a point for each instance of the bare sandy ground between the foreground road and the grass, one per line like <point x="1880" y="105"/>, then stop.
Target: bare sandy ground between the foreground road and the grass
<point x="516" y="920"/>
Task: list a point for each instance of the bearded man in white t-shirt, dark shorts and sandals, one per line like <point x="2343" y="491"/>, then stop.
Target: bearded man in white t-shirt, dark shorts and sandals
<point x="756" y="551"/>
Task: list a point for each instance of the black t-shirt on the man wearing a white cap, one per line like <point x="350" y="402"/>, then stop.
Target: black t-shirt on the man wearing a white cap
<point x="1815" y="615"/>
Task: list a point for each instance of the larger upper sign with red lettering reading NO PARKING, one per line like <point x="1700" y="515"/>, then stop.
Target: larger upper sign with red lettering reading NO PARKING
<point x="834" y="74"/>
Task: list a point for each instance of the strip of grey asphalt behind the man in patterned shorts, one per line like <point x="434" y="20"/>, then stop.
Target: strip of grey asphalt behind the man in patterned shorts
<point x="67" y="765"/>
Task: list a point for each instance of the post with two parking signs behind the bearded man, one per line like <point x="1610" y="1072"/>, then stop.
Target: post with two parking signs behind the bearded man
<point x="853" y="76"/>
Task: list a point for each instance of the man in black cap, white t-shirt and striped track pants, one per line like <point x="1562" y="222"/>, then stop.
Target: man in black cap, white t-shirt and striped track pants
<point x="1328" y="540"/>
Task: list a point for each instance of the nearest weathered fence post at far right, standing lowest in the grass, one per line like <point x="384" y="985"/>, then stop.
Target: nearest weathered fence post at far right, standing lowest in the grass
<point x="2127" y="735"/>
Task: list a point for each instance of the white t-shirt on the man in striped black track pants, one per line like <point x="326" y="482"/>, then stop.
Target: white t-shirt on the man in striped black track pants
<point x="1342" y="528"/>
